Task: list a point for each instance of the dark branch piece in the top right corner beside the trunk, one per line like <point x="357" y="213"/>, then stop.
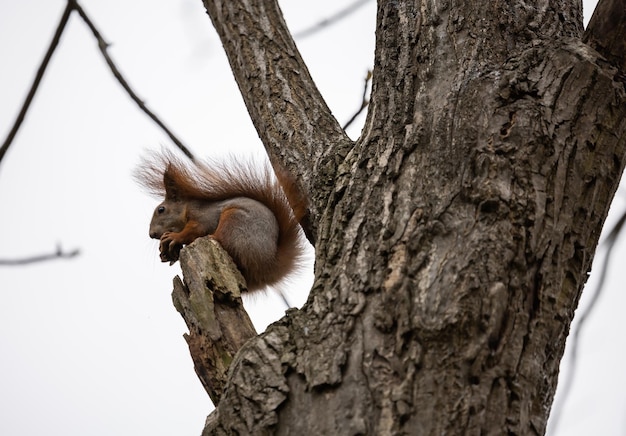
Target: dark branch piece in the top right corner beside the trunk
<point x="606" y="33"/>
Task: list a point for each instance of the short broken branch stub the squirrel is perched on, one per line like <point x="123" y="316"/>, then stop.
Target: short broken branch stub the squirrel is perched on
<point x="209" y="300"/>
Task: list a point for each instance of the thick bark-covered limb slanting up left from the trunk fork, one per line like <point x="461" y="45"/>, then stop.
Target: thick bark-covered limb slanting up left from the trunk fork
<point x="297" y="128"/>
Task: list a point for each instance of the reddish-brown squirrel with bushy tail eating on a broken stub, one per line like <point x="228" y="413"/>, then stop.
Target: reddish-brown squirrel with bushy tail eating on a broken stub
<point x="243" y="208"/>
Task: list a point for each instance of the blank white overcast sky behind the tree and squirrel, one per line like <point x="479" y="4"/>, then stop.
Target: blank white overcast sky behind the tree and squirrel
<point x="93" y="345"/>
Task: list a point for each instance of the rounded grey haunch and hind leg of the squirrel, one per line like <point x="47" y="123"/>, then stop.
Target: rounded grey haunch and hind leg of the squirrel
<point x="250" y="238"/>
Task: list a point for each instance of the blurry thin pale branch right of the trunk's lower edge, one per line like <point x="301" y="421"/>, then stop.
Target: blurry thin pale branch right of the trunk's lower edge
<point x="575" y="340"/>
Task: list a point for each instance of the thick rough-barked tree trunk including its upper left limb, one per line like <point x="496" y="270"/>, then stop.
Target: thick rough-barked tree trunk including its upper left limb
<point x="453" y="238"/>
